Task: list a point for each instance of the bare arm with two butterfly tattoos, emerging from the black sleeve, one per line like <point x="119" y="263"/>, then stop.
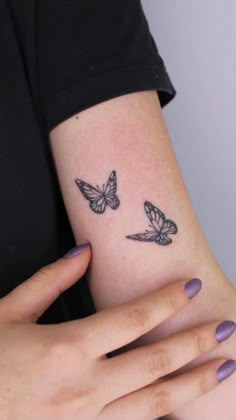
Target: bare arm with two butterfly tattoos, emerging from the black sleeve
<point x="128" y="135"/>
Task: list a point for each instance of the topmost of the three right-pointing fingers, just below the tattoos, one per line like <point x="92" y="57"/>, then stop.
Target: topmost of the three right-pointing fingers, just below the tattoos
<point x="119" y="325"/>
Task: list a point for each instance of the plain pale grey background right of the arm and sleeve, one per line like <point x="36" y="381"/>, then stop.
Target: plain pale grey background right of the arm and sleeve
<point x="197" y="40"/>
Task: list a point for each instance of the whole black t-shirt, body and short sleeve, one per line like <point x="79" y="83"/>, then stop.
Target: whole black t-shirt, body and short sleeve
<point x="59" y="57"/>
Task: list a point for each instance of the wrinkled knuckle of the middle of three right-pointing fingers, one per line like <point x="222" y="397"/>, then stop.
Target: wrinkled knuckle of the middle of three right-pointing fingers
<point x="158" y="363"/>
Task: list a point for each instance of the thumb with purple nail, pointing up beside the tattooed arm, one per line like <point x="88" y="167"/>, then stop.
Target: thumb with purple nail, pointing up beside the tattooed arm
<point x="29" y="301"/>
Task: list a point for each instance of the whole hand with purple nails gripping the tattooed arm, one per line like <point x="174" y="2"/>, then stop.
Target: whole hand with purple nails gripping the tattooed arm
<point x="61" y="371"/>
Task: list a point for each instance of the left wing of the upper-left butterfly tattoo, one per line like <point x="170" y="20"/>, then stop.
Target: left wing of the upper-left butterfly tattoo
<point x="95" y="197"/>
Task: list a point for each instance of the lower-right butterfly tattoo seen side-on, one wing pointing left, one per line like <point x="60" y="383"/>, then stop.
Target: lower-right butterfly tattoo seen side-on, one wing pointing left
<point x="161" y="227"/>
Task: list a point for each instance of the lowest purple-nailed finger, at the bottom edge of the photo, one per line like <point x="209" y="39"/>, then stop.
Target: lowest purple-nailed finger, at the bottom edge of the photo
<point x="164" y="398"/>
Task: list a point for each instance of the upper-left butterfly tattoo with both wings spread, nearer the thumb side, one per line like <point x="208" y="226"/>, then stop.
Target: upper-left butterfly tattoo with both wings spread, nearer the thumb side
<point x="98" y="197"/>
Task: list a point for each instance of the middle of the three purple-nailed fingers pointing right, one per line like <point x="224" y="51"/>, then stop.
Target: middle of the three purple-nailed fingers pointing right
<point x="144" y="365"/>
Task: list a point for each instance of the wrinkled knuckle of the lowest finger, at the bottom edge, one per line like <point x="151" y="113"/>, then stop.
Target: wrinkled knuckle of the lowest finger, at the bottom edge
<point x="160" y="403"/>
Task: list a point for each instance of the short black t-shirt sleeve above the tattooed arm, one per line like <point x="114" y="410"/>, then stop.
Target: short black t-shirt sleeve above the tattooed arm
<point x="91" y="51"/>
